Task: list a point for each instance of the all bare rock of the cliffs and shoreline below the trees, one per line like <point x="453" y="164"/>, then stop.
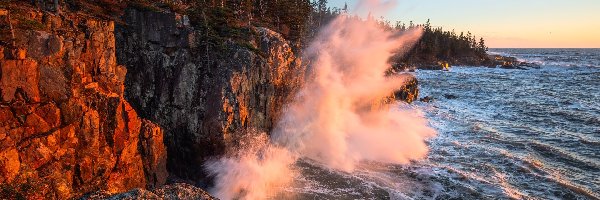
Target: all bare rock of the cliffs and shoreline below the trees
<point x="100" y="108"/>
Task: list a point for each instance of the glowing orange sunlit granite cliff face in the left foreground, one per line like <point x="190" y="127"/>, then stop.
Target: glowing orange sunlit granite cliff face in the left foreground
<point x="65" y="126"/>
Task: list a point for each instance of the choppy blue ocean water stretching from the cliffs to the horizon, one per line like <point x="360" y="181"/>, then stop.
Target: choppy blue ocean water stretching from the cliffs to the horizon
<point x="507" y="134"/>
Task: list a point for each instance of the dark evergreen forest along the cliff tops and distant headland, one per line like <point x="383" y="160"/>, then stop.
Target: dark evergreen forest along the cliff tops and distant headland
<point x="298" y="21"/>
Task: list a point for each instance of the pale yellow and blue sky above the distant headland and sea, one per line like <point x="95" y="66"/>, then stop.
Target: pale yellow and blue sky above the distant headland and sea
<point x="505" y="23"/>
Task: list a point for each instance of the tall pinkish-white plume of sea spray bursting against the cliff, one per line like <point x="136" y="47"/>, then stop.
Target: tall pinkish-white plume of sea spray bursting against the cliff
<point x="332" y="120"/>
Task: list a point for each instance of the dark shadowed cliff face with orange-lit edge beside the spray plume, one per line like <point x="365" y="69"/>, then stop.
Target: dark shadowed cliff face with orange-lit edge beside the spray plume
<point x="200" y="96"/>
